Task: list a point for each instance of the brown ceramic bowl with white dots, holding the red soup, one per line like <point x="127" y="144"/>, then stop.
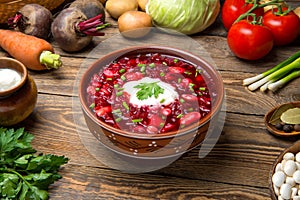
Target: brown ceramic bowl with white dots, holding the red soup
<point x="142" y="144"/>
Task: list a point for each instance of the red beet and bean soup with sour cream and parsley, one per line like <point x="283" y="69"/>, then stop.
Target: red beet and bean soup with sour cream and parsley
<point x="149" y="93"/>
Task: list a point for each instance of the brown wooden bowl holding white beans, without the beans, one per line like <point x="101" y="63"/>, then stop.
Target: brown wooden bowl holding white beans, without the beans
<point x="294" y="148"/>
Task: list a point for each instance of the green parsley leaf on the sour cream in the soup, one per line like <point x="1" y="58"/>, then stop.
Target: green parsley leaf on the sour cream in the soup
<point x="147" y="90"/>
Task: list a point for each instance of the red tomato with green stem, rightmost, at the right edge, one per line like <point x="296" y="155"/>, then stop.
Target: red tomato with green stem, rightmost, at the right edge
<point x="285" y="28"/>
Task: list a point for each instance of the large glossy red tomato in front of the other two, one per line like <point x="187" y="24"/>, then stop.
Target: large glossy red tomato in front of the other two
<point x="250" y="41"/>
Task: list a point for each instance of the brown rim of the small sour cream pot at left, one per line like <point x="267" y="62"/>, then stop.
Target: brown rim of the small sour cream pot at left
<point x="23" y="71"/>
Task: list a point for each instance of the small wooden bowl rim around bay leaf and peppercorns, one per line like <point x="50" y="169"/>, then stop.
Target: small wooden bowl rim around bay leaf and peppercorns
<point x="272" y="129"/>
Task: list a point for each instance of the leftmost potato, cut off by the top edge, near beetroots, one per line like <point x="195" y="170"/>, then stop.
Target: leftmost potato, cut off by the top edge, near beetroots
<point x="117" y="7"/>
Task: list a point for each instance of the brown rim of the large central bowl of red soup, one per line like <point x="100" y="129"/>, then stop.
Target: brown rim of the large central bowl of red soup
<point x="119" y="53"/>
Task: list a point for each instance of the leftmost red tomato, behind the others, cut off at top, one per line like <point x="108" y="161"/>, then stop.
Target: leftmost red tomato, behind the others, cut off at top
<point x="232" y="9"/>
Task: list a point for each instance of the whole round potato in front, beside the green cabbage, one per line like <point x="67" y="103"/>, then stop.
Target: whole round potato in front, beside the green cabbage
<point x="134" y="24"/>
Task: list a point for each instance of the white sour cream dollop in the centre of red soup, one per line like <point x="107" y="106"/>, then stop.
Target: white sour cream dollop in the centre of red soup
<point x="168" y="96"/>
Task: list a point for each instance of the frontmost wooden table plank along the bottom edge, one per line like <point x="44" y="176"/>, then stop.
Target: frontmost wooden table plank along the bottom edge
<point x="94" y="183"/>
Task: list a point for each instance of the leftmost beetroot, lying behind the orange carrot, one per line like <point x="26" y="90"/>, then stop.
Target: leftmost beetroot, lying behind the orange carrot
<point x="32" y="19"/>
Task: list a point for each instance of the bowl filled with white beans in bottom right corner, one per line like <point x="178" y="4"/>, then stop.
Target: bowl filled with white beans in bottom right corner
<point x="285" y="174"/>
